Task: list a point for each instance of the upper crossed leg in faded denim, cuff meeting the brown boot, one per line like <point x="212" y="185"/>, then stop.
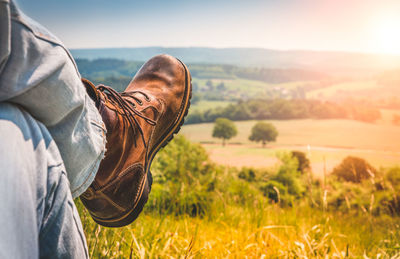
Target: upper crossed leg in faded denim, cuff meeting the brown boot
<point x="38" y="73"/>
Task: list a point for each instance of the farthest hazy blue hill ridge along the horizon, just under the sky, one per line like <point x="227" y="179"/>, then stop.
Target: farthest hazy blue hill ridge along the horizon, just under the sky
<point x="338" y="63"/>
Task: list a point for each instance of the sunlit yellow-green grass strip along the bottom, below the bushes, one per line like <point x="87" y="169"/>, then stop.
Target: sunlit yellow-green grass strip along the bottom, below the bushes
<point x="260" y="231"/>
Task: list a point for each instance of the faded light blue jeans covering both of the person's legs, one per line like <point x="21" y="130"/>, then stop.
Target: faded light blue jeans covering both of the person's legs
<point x="52" y="140"/>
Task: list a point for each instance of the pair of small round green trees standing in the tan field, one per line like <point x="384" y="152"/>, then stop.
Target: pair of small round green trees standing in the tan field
<point x="262" y="132"/>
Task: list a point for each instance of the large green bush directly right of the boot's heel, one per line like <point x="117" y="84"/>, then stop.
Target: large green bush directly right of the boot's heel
<point x="184" y="179"/>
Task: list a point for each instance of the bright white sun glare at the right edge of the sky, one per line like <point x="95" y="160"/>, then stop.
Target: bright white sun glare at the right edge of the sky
<point x="387" y="35"/>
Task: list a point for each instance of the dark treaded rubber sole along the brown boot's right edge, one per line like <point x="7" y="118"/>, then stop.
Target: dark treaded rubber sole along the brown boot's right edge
<point x="133" y="213"/>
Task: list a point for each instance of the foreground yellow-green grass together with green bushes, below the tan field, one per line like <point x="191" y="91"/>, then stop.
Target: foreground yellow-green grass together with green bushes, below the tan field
<point x="200" y="210"/>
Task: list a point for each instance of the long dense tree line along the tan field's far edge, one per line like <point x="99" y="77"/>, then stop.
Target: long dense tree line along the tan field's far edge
<point x="282" y="109"/>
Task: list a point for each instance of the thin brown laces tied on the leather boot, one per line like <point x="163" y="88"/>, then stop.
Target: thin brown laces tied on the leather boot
<point x="128" y="107"/>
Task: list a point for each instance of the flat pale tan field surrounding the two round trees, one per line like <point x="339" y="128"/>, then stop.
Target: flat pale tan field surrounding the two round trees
<point x="326" y="143"/>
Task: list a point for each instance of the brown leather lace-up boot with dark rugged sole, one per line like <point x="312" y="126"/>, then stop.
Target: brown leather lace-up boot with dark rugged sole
<point x="139" y="122"/>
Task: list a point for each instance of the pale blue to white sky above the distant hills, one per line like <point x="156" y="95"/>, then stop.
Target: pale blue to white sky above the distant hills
<point x="337" y="25"/>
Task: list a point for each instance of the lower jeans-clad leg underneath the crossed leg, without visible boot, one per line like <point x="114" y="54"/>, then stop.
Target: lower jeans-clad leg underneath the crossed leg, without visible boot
<point x="38" y="218"/>
